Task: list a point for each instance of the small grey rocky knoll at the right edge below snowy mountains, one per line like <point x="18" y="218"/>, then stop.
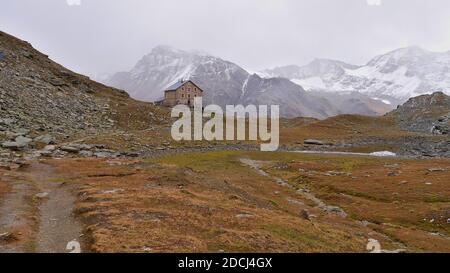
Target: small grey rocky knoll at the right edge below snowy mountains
<point x="426" y="113"/>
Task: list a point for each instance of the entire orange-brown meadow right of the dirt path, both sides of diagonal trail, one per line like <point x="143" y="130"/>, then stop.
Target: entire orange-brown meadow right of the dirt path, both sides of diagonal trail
<point x="210" y="202"/>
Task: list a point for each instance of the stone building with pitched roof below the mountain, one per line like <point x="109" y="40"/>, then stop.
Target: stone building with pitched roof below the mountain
<point x="182" y="92"/>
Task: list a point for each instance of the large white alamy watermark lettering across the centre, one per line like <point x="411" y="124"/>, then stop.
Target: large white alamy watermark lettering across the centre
<point x="230" y="125"/>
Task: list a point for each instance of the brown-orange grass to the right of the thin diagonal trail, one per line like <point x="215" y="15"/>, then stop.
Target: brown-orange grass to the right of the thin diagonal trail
<point x="403" y="198"/>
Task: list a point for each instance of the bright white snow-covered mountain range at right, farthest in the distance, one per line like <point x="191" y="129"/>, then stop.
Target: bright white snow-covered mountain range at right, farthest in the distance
<point x="393" y="78"/>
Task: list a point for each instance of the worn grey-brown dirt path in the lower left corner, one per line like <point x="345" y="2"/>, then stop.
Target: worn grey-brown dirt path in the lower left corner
<point x="40" y="209"/>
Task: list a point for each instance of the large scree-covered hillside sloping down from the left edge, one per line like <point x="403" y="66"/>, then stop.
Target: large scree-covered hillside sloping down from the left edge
<point x="41" y="101"/>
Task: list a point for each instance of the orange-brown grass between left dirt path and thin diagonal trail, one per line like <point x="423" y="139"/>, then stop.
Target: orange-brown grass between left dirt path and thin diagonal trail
<point x="168" y="208"/>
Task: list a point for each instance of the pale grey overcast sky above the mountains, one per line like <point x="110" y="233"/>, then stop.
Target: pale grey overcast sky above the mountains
<point x="105" y="36"/>
